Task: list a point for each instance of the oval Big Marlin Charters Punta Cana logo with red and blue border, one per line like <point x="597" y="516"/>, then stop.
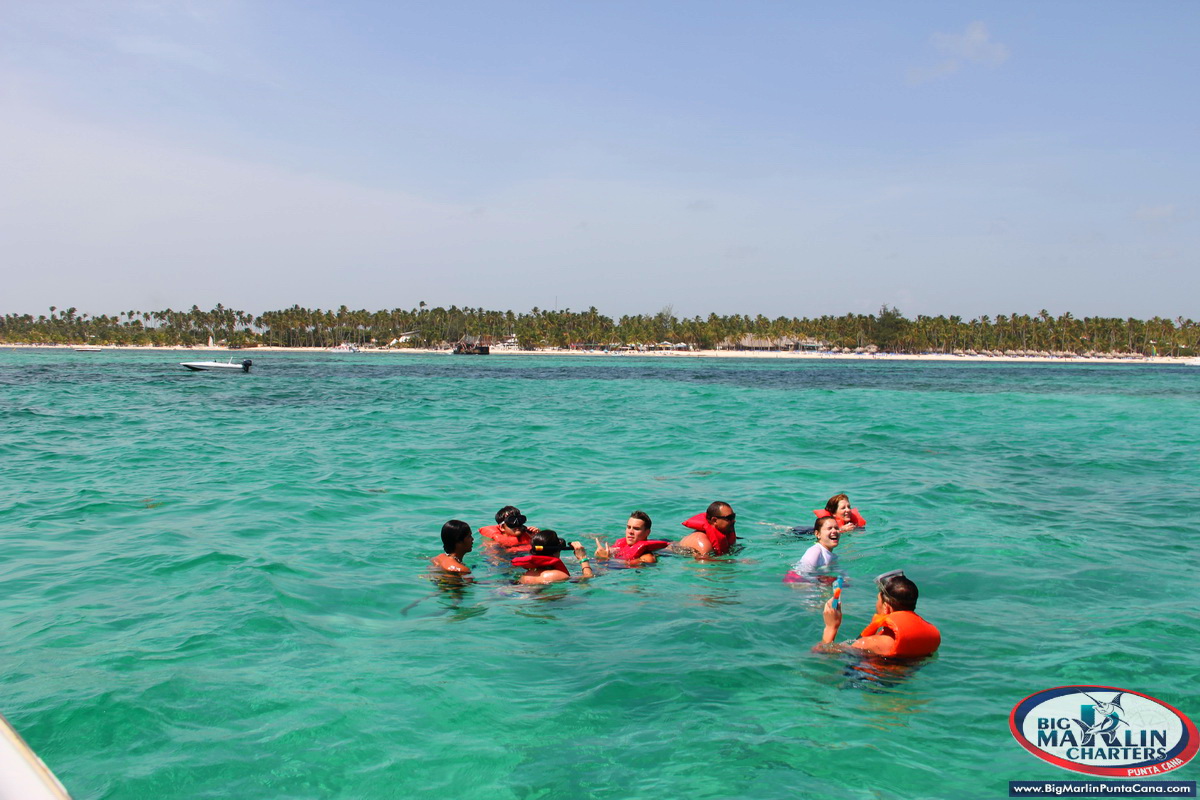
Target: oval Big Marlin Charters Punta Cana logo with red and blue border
<point x="1105" y="731"/>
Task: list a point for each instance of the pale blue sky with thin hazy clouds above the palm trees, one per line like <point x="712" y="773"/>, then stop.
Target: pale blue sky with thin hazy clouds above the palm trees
<point x="742" y="158"/>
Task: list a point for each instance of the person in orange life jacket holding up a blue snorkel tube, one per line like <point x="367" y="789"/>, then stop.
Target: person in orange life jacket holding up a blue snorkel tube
<point x="896" y="630"/>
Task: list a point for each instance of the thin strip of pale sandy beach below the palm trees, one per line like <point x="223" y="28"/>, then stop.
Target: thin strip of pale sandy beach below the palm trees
<point x="793" y="356"/>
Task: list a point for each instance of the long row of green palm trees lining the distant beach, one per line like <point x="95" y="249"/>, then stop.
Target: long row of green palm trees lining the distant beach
<point x="423" y="327"/>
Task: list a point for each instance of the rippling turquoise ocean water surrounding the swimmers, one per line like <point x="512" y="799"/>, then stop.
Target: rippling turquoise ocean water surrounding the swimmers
<point x="214" y="586"/>
